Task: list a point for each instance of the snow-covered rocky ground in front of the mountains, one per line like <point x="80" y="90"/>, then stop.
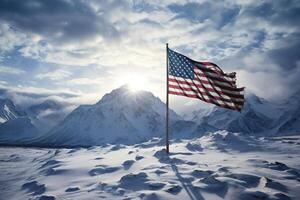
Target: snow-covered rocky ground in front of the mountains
<point x="217" y="166"/>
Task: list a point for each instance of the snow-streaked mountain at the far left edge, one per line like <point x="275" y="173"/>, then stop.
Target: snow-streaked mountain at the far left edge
<point x="15" y="125"/>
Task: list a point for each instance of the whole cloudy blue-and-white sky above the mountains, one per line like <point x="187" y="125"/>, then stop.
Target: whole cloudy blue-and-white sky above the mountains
<point x="80" y="50"/>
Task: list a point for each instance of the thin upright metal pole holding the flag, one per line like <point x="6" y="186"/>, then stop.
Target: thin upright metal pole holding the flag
<point x="167" y="101"/>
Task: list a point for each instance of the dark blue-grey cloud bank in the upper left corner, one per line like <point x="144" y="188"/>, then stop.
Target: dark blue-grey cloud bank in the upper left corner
<point x="56" y="19"/>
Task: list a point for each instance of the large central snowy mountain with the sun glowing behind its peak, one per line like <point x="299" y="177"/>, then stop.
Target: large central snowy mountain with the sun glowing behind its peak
<point x="121" y="116"/>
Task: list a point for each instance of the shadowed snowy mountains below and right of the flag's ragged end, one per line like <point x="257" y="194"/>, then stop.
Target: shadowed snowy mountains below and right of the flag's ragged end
<point x="259" y="116"/>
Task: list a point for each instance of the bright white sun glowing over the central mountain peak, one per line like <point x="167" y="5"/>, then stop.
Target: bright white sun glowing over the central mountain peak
<point x="136" y="83"/>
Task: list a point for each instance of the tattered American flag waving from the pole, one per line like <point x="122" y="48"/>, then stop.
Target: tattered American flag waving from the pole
<point x="204" y="81"/>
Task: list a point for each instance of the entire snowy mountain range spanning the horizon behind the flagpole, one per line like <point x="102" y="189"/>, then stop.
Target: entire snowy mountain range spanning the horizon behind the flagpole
<point x="127" y="117"/>
